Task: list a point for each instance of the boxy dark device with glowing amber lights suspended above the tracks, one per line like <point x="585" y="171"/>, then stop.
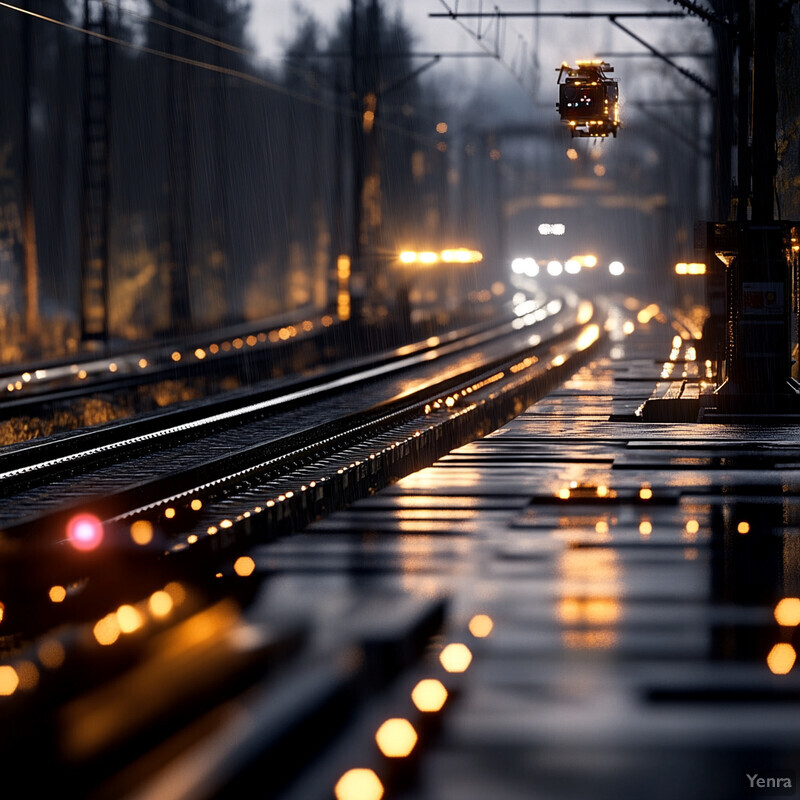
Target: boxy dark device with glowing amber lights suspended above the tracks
<point x="588" y="100"/>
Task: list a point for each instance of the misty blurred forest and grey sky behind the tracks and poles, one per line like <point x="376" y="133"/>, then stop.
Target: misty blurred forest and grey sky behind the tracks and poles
<point x="234" y="153"/>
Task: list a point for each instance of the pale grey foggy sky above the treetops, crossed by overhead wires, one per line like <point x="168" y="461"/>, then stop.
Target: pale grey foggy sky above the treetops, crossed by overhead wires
<point x="553" y="41"/>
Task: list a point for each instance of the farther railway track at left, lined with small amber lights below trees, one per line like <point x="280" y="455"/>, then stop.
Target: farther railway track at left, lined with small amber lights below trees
<point x="243" y="355"/>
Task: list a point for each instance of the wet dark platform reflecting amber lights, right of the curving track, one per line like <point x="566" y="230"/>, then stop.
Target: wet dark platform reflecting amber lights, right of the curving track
<point x="623" y="589"/>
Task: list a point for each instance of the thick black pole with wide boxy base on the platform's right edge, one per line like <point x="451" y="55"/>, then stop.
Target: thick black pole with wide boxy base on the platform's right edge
<point x="760" y="289"/>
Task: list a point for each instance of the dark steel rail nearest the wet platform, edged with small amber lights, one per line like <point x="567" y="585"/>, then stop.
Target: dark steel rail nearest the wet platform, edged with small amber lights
<point x="37" y="555"/>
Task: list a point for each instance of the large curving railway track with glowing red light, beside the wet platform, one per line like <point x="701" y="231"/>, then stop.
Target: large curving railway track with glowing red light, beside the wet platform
<point x="121" y="544"/>
